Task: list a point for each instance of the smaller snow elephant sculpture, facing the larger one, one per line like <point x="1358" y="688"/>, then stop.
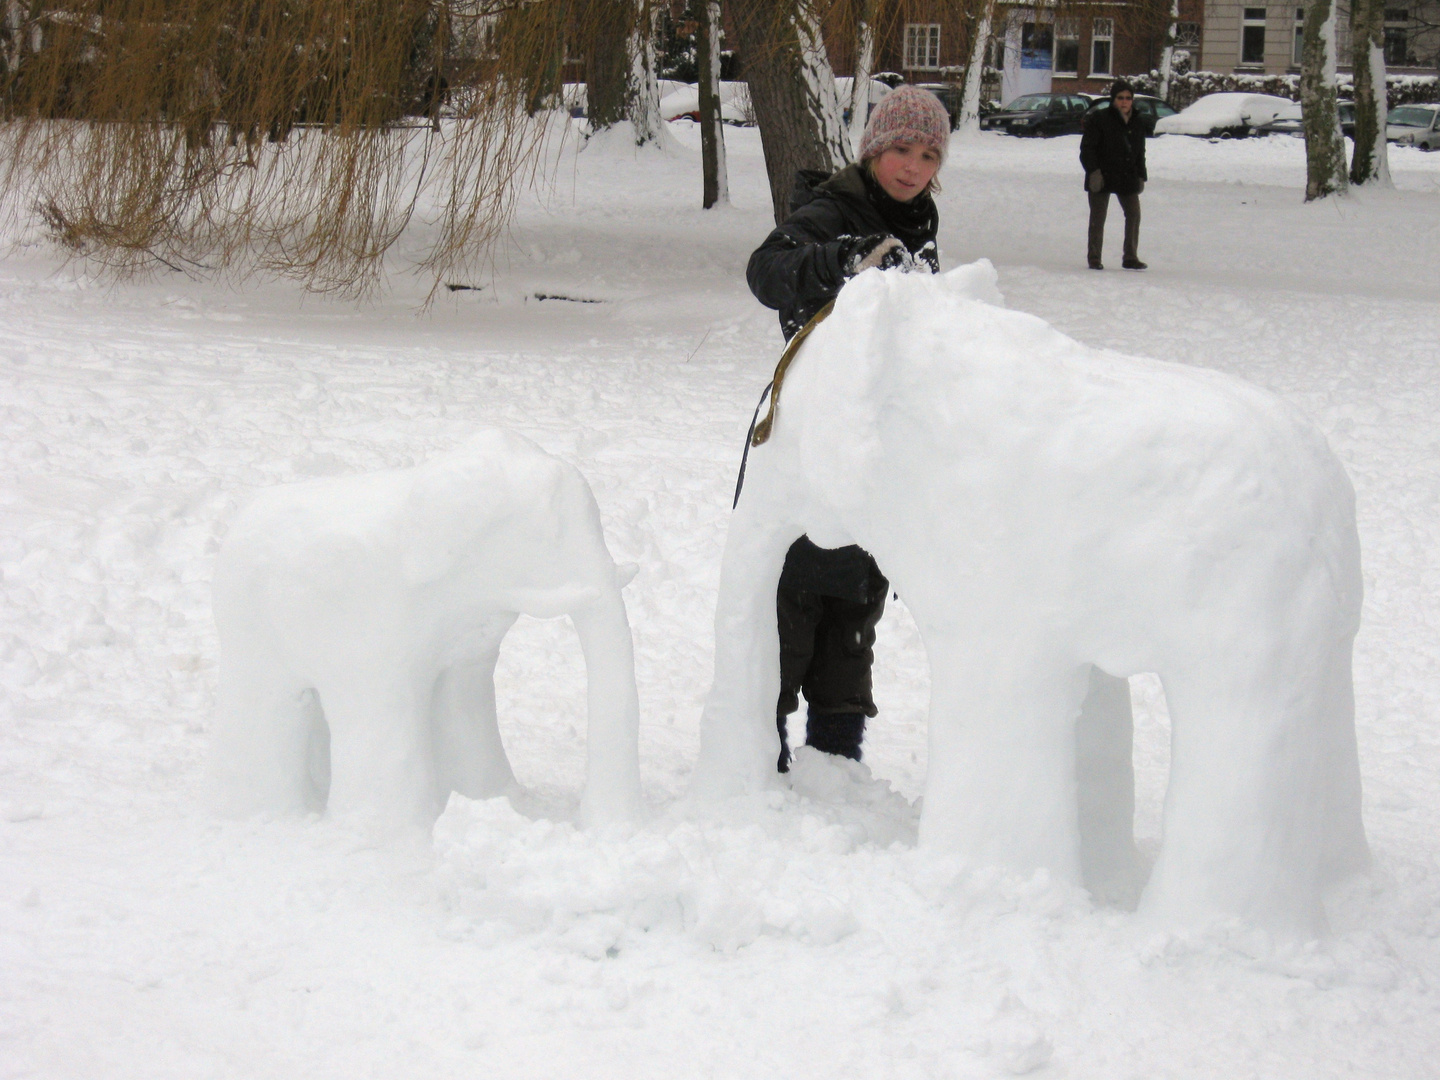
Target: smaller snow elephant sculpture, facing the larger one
<point x="378" y="604"/>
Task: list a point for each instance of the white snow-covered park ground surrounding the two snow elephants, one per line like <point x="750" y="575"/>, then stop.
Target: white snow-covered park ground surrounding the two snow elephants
<point x="796" y="934"/>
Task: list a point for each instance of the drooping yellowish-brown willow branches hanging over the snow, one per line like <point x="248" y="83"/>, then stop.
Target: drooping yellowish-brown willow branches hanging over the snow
<point x="292" y="138"/>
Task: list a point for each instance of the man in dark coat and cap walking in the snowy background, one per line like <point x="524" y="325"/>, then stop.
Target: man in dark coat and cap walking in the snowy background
<point x="1112" y="152"/>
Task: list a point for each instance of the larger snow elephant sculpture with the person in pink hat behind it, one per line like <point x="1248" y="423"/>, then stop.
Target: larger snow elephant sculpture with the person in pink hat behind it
<point x="1049" y="510"/>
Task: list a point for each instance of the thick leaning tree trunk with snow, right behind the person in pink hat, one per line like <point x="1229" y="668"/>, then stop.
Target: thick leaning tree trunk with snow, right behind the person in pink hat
<point x="793" y="91"/>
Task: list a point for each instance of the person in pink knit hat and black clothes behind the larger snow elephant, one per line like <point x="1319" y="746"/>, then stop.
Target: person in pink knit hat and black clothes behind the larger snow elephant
<point x="878" y="214"/>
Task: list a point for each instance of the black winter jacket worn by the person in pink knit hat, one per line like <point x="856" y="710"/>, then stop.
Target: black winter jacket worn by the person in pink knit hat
<point x="797" y="271"/>
